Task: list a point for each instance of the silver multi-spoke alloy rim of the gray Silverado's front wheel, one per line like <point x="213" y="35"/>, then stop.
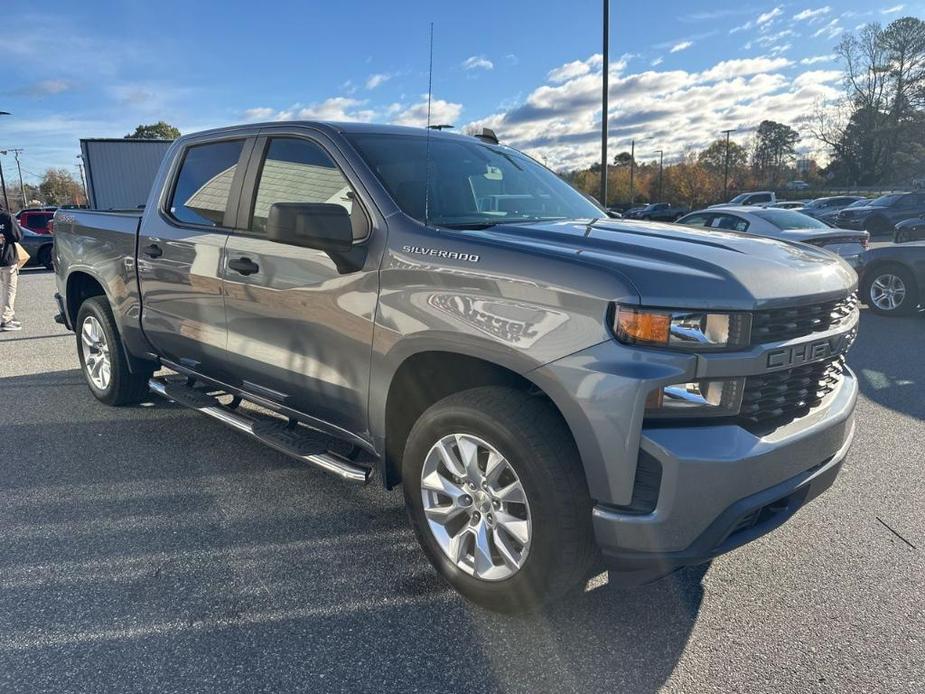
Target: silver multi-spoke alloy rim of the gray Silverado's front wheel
<point x="476" y="507"/>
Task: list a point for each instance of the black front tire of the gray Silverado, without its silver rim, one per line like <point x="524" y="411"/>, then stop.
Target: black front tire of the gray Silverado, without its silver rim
<point x="537" y="444"/>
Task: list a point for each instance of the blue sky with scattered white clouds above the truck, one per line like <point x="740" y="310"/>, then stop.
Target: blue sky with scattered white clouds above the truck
<point x="680" y="73"/>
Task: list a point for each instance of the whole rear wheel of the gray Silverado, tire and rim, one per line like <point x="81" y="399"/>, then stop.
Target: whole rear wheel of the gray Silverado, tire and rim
<point x="102" y="359"/>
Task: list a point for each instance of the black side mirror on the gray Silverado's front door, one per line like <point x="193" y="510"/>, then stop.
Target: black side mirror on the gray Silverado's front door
<point x="323" y="226"/>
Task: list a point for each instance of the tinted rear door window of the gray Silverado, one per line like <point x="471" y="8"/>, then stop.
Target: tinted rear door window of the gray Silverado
<point x="203" y="184"/>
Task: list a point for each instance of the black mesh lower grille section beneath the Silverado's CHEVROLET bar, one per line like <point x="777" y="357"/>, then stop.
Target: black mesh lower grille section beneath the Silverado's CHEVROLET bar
<point x="783" y="396"/>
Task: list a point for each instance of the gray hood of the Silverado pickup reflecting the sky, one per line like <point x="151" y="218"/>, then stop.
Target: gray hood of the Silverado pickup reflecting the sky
<point x="687" y="267"/>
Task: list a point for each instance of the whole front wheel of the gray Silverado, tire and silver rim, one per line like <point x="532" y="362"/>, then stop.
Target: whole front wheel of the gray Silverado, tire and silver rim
<point x="498" y="499"/>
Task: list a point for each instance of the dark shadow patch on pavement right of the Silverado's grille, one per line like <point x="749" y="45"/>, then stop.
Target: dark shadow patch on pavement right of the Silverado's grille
<point x="888" y="368"/>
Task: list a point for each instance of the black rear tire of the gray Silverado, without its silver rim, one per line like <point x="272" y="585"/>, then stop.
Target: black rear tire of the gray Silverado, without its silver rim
<point x="124" y="386"/>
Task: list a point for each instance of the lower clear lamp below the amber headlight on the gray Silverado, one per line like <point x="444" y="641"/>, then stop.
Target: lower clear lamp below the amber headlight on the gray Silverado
<point x="716" y="398"/>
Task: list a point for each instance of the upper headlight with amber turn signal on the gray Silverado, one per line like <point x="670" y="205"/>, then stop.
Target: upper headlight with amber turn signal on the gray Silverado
<point x="688" y="330"/>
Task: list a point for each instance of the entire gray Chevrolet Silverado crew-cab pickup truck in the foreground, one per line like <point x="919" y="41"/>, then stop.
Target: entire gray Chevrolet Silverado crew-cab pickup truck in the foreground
<point x="554" y="391"/>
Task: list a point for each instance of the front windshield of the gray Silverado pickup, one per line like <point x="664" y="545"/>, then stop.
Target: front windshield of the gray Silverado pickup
<point x="471" y="184"/>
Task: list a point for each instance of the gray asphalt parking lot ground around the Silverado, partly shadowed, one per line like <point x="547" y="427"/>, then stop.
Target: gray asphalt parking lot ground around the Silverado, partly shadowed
<point x="152" y="549"/>
